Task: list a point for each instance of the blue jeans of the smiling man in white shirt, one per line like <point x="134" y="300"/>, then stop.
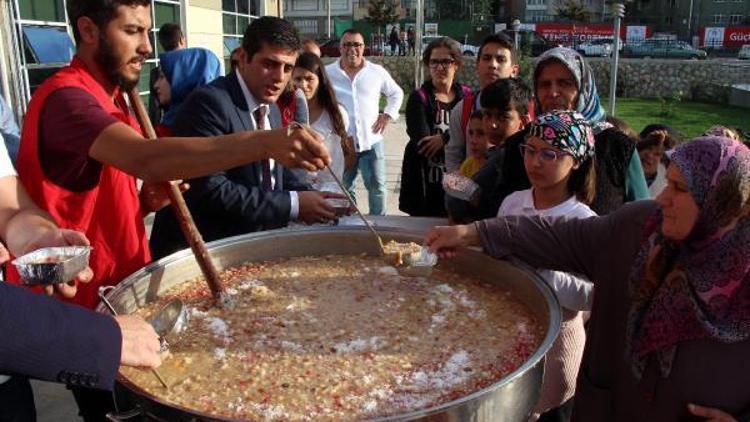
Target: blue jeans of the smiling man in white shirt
<point x="372" y="165"/>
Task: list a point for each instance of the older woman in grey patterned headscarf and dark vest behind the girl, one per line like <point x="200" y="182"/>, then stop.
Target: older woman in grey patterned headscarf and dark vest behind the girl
<point x="563" y="81"/>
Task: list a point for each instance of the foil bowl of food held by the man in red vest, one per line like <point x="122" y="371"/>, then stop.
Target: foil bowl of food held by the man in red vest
<point x="52" y="265"/>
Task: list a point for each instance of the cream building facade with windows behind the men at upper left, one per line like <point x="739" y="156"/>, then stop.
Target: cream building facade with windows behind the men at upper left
<point x="36" y="40"/>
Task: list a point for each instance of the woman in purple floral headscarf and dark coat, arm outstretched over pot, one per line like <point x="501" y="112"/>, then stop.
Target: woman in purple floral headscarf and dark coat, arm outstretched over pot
<point x="670" y="326"/>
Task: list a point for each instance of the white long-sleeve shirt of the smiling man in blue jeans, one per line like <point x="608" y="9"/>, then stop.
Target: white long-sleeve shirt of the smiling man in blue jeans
<point x="360" y="96"/>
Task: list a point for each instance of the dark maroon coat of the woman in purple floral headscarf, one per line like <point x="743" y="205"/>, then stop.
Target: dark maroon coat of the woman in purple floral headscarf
<point x="704" y="372"/>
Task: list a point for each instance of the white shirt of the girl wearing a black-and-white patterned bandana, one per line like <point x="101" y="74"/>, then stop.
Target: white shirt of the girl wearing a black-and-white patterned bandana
<point x="574" y="292"/>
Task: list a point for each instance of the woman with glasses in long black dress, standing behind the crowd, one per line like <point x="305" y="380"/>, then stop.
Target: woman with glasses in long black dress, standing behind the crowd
<point x="427" y="120"/>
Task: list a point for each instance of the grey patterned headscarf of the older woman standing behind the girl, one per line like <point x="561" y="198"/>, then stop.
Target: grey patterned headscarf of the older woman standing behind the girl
<point x="588" y="98"/>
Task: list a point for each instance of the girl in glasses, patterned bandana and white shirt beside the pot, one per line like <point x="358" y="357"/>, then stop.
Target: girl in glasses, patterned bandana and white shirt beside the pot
<point x="558" y="158"/>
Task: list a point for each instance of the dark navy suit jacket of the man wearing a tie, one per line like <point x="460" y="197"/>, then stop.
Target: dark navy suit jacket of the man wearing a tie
<point x="230" y="202"/>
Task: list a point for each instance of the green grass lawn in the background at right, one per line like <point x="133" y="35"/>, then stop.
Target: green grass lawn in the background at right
<point x="690" y="118"/>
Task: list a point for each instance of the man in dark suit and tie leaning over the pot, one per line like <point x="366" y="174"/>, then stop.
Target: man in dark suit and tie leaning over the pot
<point x="257" y="196"/>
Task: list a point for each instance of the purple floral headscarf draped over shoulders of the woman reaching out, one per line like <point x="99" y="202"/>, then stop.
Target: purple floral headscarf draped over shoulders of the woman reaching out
<point x="698" y="288"/>
